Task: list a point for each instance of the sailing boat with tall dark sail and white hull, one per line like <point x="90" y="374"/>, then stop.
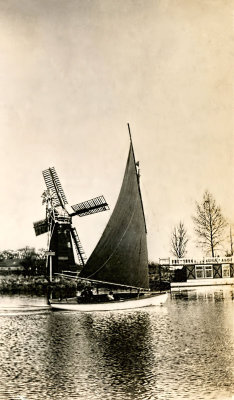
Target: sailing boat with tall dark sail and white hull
<point x="116" y="274"/>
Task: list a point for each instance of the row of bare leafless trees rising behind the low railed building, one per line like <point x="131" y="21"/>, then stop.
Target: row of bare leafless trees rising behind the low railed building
<point x="209" y="228"/>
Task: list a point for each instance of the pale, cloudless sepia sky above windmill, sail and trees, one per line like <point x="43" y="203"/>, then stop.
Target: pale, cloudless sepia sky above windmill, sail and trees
<point x="73" y="73"/>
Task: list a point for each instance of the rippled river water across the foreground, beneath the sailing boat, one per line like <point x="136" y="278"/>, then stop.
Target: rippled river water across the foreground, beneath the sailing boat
<point x="183" y="350"/>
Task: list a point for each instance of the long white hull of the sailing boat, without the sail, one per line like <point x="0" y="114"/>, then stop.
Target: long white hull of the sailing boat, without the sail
<point x="153" y="300"/>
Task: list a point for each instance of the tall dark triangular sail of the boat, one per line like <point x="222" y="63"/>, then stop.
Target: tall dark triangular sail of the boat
<point x="121" y="254"/>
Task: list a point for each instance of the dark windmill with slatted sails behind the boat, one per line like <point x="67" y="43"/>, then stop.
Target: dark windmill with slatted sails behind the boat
<point x="62" y="235"/>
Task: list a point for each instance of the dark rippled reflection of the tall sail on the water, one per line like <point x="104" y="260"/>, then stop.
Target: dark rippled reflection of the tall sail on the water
<point x="124" y="349"/>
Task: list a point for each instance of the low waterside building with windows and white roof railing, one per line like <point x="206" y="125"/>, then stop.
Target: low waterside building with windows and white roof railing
<point x="200" y="272"/>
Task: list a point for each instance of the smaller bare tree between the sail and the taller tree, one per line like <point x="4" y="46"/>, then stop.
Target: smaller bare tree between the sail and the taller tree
<point x="179" y="240"/>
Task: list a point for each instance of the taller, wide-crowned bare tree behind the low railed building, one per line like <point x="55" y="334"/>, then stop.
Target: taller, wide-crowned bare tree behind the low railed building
<point x="209" y="224"/>
